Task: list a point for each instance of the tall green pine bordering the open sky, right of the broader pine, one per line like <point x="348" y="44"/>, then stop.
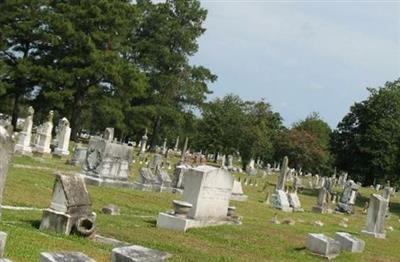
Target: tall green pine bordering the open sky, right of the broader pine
<point x="162" y="45"/>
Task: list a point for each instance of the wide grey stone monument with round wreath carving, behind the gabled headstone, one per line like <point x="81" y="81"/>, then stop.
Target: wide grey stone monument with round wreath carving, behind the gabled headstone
<point x="106" y="161"/>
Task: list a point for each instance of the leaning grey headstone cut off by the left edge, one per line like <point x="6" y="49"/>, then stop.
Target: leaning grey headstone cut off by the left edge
<point x="6" y="150"/>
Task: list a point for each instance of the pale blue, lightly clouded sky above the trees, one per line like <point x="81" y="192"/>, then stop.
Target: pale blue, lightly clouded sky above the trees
<point x="301" y="56"/>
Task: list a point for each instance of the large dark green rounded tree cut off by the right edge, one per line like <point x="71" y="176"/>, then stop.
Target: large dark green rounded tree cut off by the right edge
<point x="367" y="140"/>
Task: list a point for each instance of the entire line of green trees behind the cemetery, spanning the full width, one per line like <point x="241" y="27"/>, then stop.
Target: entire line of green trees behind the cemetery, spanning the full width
<point x="125" y="64"/>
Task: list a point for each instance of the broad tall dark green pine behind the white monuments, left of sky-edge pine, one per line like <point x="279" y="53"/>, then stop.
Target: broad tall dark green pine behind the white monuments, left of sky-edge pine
<point x="84" y="61"/>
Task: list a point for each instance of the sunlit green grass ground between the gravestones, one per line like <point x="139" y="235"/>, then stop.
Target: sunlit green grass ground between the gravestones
<point x="30" y="184"/>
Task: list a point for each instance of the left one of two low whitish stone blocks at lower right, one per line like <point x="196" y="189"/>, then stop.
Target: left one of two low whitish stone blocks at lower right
<point x="324" y="246"/>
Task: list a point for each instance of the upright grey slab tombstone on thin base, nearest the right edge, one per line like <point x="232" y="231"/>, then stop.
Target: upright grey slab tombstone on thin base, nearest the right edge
<point x="375" y="224"/>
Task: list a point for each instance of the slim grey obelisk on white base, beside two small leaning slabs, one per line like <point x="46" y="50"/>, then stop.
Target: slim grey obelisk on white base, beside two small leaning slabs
<point x="279" y="198"/>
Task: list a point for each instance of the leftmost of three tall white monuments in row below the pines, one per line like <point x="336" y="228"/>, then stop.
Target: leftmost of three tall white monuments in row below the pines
<point x="23" y="145"/>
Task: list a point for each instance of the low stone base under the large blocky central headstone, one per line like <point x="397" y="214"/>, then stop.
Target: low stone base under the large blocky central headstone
<point x="177" y="223"/>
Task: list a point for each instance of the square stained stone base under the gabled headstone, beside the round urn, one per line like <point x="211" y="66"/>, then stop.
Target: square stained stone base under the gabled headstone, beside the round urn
<point x="59" y="222"/>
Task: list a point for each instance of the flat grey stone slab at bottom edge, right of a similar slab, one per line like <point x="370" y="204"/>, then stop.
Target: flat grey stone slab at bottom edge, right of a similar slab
<point x="137" y="254"/>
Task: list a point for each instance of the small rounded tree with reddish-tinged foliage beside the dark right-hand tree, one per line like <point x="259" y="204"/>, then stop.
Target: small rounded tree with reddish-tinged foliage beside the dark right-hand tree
<point x="307" y="145"/>
